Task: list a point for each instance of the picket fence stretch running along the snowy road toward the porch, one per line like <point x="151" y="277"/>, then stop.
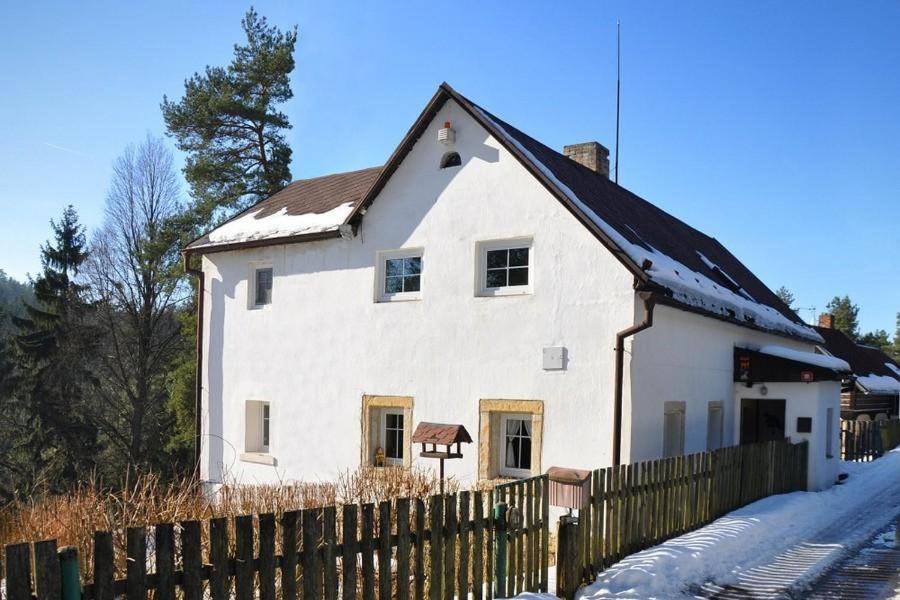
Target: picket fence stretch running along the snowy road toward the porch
<point x="636" y="506"/>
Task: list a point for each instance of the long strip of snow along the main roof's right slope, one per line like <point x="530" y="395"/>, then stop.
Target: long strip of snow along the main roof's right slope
<point x="688" y="286"/>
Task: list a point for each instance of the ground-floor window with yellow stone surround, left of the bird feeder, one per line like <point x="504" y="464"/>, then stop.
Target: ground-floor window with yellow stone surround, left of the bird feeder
<point x="386" y="430"/>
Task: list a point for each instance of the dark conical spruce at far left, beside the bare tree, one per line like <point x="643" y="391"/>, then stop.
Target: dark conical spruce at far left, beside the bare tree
<point x="54" y="346"/>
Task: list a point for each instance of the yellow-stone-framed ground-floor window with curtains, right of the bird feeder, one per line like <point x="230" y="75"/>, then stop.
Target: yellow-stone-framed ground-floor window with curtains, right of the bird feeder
<point x="510" y="438"/>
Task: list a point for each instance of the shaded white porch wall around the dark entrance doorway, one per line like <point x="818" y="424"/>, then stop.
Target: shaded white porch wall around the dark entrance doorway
<point x="806" y="400"/>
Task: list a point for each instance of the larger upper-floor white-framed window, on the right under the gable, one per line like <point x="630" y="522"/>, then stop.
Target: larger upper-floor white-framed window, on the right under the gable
<point x="504" y="267"/>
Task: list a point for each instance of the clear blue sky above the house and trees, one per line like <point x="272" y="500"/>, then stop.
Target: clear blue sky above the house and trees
<point x="773" y="126"/>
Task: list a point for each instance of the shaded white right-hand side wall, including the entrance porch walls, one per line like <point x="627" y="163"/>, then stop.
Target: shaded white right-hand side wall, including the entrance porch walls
<point x="688" y="358"/>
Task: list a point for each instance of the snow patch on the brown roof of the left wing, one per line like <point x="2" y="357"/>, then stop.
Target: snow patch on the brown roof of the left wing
<point x="250" y="226"/>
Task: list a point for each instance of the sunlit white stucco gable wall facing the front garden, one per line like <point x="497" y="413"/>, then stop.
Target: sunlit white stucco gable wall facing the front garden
<point x="324" y="342"/>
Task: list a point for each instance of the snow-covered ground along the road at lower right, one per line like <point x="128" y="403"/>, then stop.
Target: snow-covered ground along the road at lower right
<point x="781" y="543"/>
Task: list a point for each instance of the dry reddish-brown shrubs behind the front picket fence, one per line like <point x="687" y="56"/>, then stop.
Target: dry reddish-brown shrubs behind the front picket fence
<point x="72" y="518"/>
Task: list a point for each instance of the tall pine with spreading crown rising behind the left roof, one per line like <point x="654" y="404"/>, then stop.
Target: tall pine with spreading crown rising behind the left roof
<point x="229" y="126"/>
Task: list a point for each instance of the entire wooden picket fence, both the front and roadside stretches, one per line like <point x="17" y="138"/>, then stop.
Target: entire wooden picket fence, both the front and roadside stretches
<point x="467" y="544"/>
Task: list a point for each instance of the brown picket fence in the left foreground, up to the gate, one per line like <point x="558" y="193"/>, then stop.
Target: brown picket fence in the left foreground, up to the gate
<point x="402" y="549"/>
